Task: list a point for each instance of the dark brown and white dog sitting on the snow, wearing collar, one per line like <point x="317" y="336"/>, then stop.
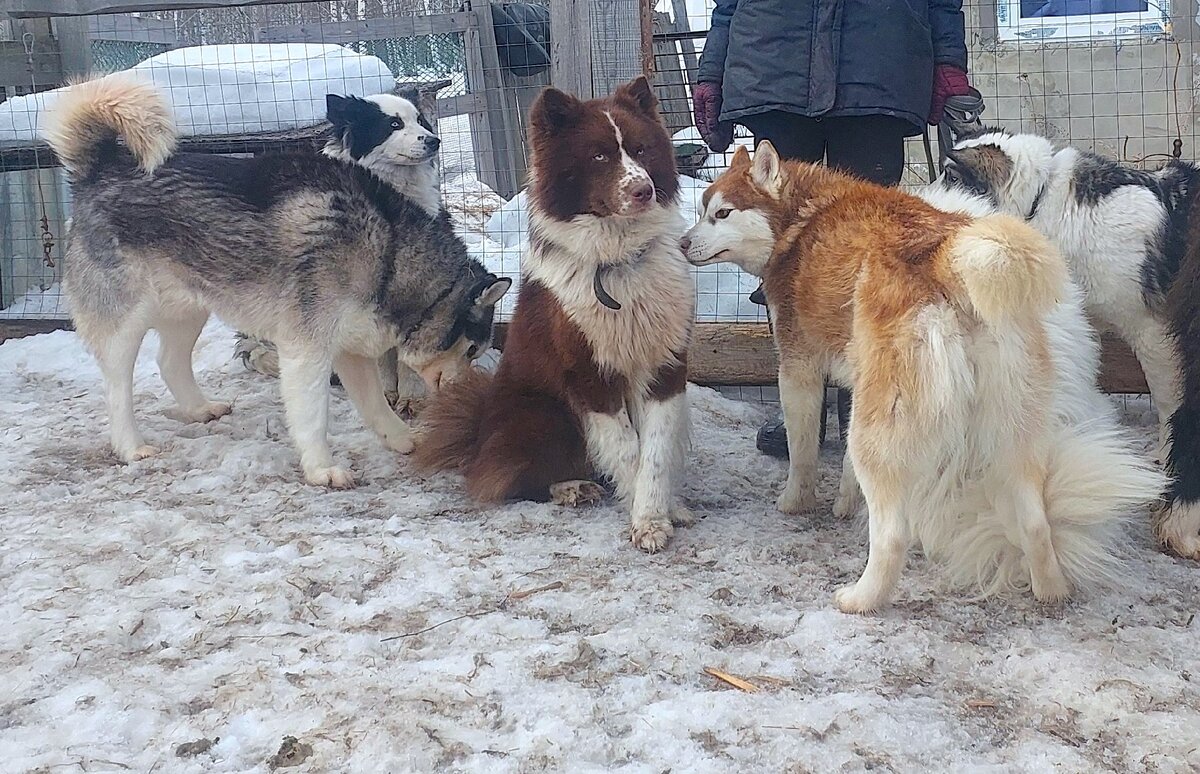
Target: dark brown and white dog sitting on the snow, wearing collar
<point x="595" y="369"/>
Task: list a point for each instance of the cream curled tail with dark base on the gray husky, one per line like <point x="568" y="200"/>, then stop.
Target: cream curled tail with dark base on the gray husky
<point x="85" y="124"/>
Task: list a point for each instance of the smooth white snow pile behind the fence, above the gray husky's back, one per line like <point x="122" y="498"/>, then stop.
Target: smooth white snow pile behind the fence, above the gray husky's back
<point x="236" y="88"/>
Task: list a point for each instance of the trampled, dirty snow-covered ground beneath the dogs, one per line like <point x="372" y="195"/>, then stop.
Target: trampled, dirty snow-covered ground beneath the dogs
<point x="206" y="598"/>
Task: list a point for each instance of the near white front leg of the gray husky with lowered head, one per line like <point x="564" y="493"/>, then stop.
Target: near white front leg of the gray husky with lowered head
<point x="304" y="381"/>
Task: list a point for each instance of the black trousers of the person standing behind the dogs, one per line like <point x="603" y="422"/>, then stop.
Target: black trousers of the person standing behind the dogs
<point x="871" y="147"/>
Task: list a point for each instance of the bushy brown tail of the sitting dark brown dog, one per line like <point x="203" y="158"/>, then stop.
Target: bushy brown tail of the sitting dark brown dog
<point x="449" y="424"/>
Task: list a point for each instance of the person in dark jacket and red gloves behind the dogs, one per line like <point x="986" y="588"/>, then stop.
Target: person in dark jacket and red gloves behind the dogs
<point x="838" y="81"/>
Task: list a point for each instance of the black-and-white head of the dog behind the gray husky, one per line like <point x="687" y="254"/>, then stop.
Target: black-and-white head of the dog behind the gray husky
<point x="383" y="128"/>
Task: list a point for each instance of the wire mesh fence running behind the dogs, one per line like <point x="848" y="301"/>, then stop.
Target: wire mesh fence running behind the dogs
<point x="253" y="79"/>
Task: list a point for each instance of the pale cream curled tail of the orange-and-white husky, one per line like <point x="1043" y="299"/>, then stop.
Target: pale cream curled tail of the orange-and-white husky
<point x="1009" y="269"/>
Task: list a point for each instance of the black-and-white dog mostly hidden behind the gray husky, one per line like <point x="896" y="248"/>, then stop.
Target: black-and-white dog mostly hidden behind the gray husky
<point x="388" y="135"/>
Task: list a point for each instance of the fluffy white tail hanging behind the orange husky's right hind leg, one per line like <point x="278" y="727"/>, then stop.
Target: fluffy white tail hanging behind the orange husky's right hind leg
<point x="1096" y="483"/>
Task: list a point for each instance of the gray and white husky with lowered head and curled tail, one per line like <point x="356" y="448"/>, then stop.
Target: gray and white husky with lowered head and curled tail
<point x="311" y="253"/>
